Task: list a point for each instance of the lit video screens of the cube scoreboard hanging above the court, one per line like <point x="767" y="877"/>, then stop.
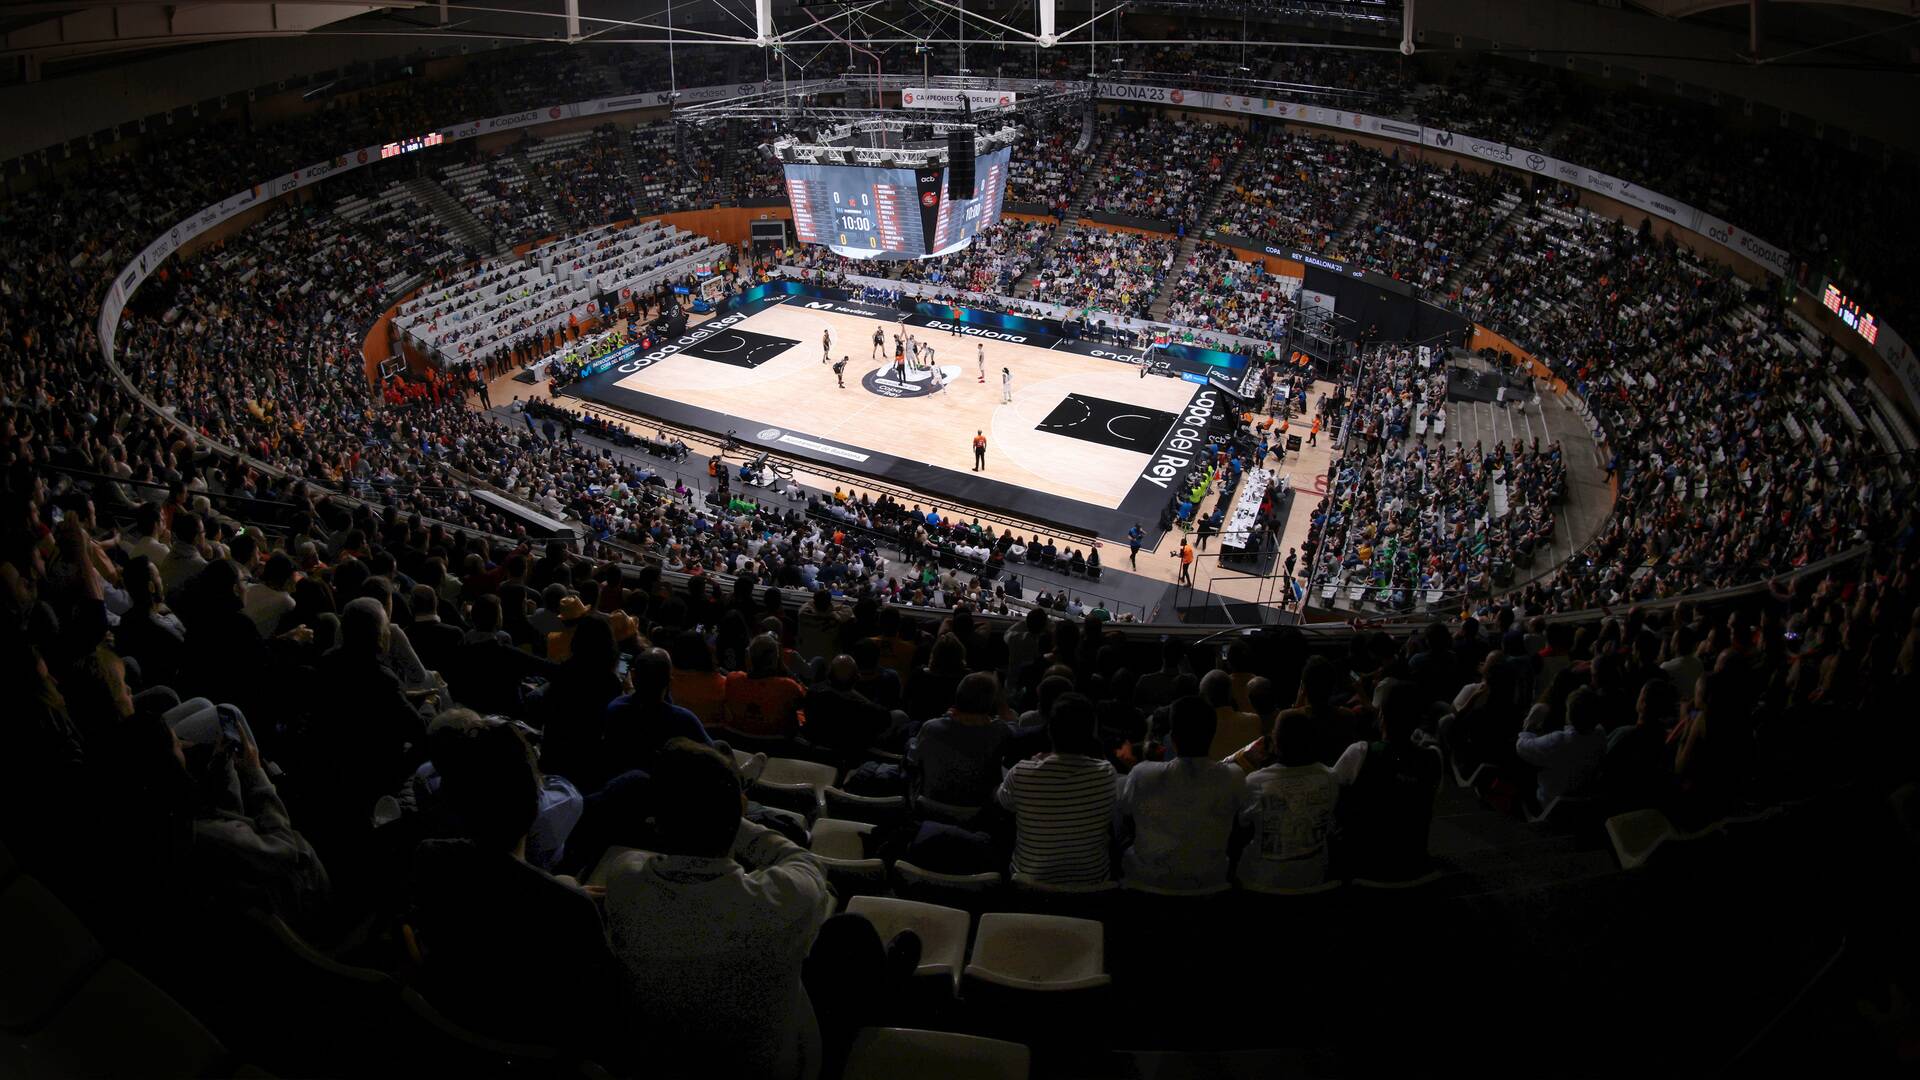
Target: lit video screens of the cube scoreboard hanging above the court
<point x="871" y="212"/>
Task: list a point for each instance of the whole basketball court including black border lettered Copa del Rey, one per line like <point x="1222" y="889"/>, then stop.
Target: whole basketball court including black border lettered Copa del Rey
<point x="1086" y="445"/>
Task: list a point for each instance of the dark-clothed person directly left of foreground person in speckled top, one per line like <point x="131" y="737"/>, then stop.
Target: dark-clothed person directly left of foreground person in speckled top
<point x="533" y="962"/>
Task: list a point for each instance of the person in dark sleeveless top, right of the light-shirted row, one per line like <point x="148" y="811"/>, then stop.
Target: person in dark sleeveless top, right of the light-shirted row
<point x="1387" y="812"/>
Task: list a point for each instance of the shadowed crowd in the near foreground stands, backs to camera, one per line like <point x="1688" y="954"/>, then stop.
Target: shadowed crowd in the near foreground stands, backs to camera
<point x="358" y="724"/>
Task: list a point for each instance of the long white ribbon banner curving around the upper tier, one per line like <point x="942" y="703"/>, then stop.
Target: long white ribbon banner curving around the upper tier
<point x="1777" y="260"/>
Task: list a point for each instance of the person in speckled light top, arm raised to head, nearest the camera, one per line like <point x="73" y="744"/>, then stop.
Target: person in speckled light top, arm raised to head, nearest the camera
<point x="715" y="925"/>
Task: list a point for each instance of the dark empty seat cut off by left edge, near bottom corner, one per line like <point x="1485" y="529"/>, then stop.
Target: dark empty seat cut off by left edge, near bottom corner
<point x="47" y="954"/>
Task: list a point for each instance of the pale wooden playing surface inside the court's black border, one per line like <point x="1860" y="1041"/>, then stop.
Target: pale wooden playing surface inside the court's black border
<point x="796" y="391"/>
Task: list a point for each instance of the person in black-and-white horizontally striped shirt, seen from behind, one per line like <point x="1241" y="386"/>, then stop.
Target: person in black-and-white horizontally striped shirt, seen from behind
<point x="1065" y="802"/>
